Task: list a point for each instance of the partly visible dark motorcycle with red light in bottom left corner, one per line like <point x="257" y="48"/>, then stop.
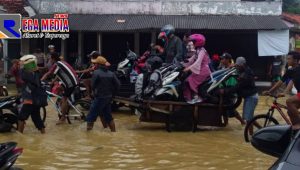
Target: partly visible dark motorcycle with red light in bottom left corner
<point x="9" y="153"/>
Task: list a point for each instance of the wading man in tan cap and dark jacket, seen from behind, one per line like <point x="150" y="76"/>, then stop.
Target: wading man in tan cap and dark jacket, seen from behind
<point x="105" y="84"/>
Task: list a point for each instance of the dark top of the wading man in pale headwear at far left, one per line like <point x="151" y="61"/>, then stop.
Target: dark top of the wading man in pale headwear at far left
<point x="31" y="82"/>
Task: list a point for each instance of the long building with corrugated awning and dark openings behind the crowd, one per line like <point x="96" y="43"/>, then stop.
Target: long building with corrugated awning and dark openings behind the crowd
<point x="239" y="27"/>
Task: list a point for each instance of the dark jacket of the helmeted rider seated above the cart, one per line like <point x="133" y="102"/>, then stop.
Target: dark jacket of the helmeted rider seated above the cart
<point x="173" y="50"/>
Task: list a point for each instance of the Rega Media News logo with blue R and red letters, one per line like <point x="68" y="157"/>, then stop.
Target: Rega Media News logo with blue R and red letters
<point x="14" y="27"/>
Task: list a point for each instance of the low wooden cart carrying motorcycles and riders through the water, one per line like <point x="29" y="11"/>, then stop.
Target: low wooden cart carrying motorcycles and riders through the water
<point x="168" y="112"/>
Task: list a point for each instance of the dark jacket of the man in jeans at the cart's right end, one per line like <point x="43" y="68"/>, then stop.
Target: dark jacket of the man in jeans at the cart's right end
<point x="246" y="84"/>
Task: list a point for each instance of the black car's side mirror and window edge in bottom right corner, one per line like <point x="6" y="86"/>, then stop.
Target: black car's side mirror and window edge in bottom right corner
<point x="279" y="141"/>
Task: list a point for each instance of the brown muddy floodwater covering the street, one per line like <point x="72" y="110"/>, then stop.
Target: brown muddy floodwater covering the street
<point x="136" y="145"/>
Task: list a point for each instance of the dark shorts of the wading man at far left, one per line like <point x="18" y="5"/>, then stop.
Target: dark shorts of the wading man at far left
<point x="33" y="111"/>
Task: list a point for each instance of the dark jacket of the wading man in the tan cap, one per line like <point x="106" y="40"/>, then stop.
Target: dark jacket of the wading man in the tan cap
<point x="104" y="83"/>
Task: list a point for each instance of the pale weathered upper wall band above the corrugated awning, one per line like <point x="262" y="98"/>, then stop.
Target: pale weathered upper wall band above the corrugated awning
<point x="158" y="7"/>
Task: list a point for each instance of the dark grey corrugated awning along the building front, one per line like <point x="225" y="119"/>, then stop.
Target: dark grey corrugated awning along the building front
<point x="94" y="22"/>
